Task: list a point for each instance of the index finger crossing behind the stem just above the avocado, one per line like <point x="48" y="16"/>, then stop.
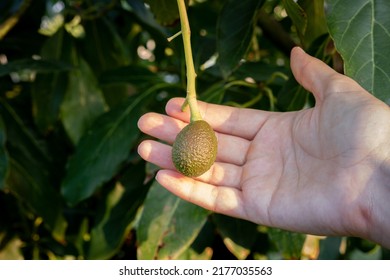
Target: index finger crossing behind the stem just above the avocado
<point x="240" y="122"/>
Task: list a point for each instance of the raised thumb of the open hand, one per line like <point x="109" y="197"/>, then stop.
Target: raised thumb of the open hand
<point x="312" y="73"/>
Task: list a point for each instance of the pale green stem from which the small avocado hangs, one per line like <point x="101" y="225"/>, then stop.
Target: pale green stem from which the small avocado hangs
<point x="191" y="74"/>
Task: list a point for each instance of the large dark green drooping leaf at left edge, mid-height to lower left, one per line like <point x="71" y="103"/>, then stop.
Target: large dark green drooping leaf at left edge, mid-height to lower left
<point x="30" y="171"/>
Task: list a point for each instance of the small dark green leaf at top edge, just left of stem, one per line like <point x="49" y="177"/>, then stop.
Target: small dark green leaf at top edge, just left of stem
<point x="165" y="11"/>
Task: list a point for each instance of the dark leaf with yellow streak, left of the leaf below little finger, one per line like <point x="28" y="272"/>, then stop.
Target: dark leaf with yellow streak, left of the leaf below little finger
<point x="119" y="209"/>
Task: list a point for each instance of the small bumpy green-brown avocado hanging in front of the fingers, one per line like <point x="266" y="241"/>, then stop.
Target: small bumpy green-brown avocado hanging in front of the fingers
<point x="195" y="149"/>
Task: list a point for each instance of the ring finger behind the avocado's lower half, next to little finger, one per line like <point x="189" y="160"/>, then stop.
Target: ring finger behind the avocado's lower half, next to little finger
<point x="219" y="174"/>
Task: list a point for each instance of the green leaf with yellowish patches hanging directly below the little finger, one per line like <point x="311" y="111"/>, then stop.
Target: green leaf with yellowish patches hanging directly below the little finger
<point x="168" y="225"/>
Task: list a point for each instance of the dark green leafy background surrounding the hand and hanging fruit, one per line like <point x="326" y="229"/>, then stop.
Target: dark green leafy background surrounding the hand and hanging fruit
<point x="71" y="182"/>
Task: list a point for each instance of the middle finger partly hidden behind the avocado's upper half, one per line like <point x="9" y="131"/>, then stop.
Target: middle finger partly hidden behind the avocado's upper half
<point x="231" y="149"/>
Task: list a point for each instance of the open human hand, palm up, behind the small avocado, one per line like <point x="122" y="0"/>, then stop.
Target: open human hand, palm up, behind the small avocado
<point x="320" y="170"/>
